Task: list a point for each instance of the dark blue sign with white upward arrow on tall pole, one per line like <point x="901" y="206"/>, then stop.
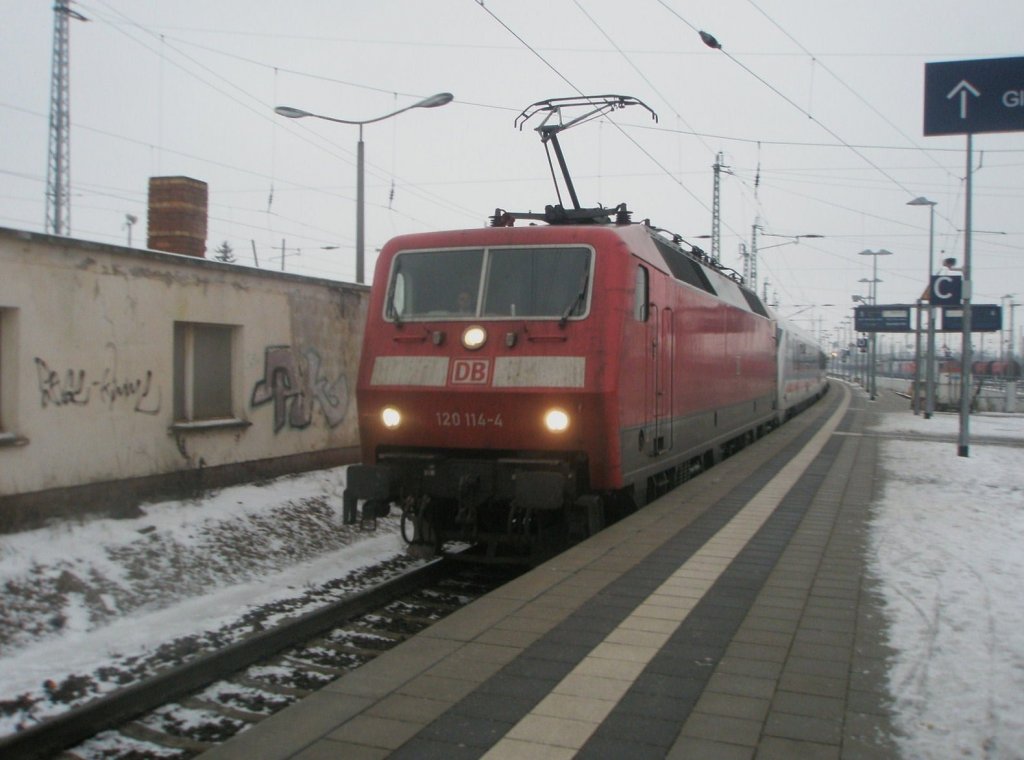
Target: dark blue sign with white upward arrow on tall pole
<point x="973" y="97"/>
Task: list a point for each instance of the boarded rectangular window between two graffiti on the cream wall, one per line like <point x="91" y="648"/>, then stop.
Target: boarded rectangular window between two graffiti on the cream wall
<point x="203" y="372"/>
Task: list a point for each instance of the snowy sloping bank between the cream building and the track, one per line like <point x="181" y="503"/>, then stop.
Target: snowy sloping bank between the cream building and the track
<point x="77" y="600"/>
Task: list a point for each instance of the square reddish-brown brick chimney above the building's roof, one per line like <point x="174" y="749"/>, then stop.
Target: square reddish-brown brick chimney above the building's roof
<point x="178" y="216"/>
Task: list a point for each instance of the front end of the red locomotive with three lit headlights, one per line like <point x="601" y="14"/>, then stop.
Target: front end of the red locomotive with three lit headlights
<point x="487" y="381"/>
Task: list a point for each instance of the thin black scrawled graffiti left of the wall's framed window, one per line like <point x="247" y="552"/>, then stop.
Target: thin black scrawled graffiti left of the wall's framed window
<point x="79" y="389"/>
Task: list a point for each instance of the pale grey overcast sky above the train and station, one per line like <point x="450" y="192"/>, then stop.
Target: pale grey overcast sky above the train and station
<point x="817" y="107"/>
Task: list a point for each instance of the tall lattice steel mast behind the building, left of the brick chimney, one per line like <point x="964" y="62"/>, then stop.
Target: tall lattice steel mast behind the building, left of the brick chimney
<point x="59" y="164"/>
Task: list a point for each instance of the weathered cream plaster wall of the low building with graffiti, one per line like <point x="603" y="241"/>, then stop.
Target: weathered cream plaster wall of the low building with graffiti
<point x="87" y="363"/>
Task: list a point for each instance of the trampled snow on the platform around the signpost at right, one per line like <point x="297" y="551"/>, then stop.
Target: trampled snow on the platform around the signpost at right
<point x="948" y="542"/>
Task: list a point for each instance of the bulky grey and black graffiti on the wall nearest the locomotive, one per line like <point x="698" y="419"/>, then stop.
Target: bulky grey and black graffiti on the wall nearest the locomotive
<point x="296" y="384"/>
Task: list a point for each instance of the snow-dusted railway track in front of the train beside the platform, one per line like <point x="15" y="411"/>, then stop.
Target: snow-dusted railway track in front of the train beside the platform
<point x="192" y="707"/>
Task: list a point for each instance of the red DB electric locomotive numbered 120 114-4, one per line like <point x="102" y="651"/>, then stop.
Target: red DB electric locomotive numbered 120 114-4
<point x="519" y="384"/>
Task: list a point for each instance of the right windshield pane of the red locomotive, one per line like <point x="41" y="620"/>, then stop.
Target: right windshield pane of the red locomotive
<point x="537" y="282"/>
